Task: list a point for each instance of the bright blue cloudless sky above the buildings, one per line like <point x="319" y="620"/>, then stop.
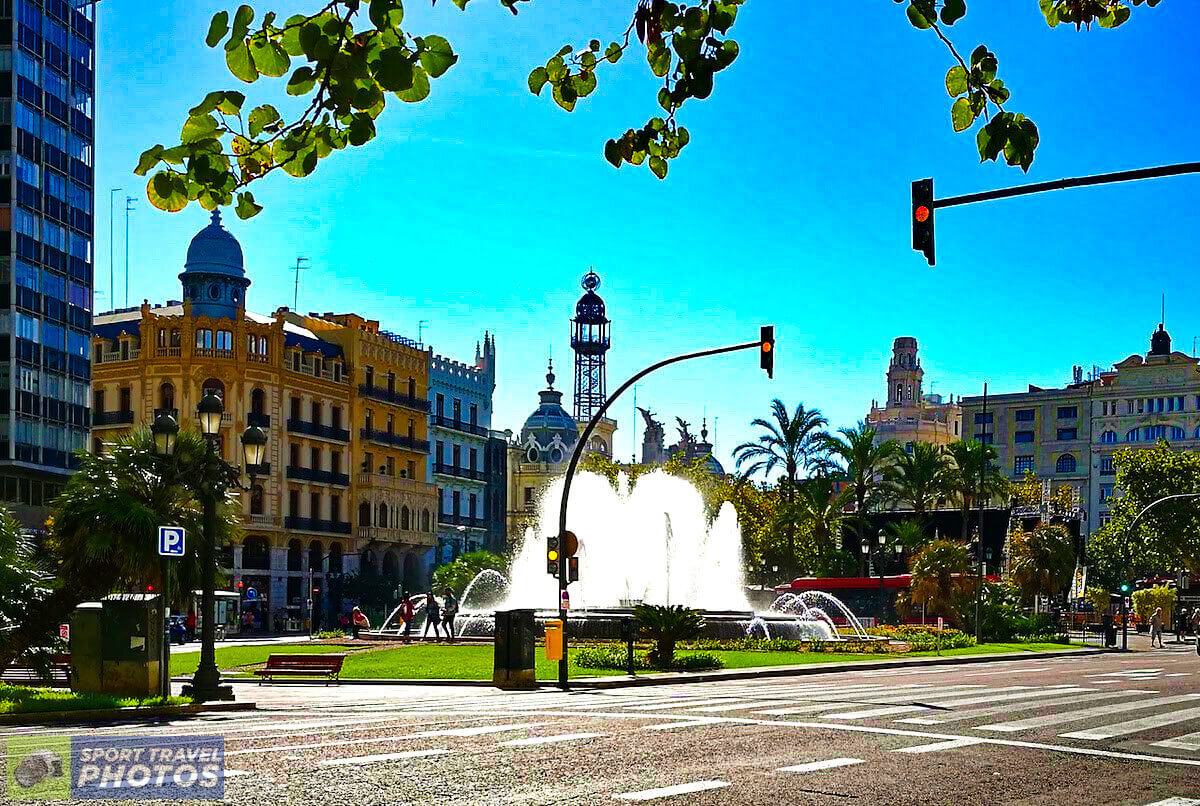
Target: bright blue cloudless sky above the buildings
<point x="483" y="207"/>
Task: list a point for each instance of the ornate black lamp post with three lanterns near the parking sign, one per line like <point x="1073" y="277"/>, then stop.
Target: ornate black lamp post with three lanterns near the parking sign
<point x="212" y="479"/>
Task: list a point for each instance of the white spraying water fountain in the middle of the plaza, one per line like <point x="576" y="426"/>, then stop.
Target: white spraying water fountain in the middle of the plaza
<point x="651" y="543"/>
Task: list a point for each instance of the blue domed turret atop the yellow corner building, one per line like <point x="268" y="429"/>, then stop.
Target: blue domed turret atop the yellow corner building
<point x="214" y="279"/>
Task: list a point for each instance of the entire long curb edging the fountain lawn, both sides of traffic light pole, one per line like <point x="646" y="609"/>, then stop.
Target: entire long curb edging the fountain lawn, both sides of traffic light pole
<point x="710" y="677"/>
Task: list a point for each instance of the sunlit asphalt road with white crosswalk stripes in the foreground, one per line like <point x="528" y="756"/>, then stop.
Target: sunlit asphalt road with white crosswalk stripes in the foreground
<point x="1096" y="730"/>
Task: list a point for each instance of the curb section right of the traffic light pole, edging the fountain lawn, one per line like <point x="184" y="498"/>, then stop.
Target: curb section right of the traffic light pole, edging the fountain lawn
<point x="818" y="669"/>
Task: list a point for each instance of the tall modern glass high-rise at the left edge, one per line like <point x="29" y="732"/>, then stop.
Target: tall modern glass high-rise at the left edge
<point x="47" y="112"/>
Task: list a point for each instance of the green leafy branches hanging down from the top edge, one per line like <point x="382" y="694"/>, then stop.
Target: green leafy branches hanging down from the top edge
<point x="346" y="58"/>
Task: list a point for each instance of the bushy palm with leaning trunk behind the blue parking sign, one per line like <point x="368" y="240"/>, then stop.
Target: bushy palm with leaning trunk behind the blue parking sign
<point x="105" y="526"/>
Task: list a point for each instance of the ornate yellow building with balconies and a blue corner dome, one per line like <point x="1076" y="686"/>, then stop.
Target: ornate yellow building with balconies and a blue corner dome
<point x="346" y="410"/>
